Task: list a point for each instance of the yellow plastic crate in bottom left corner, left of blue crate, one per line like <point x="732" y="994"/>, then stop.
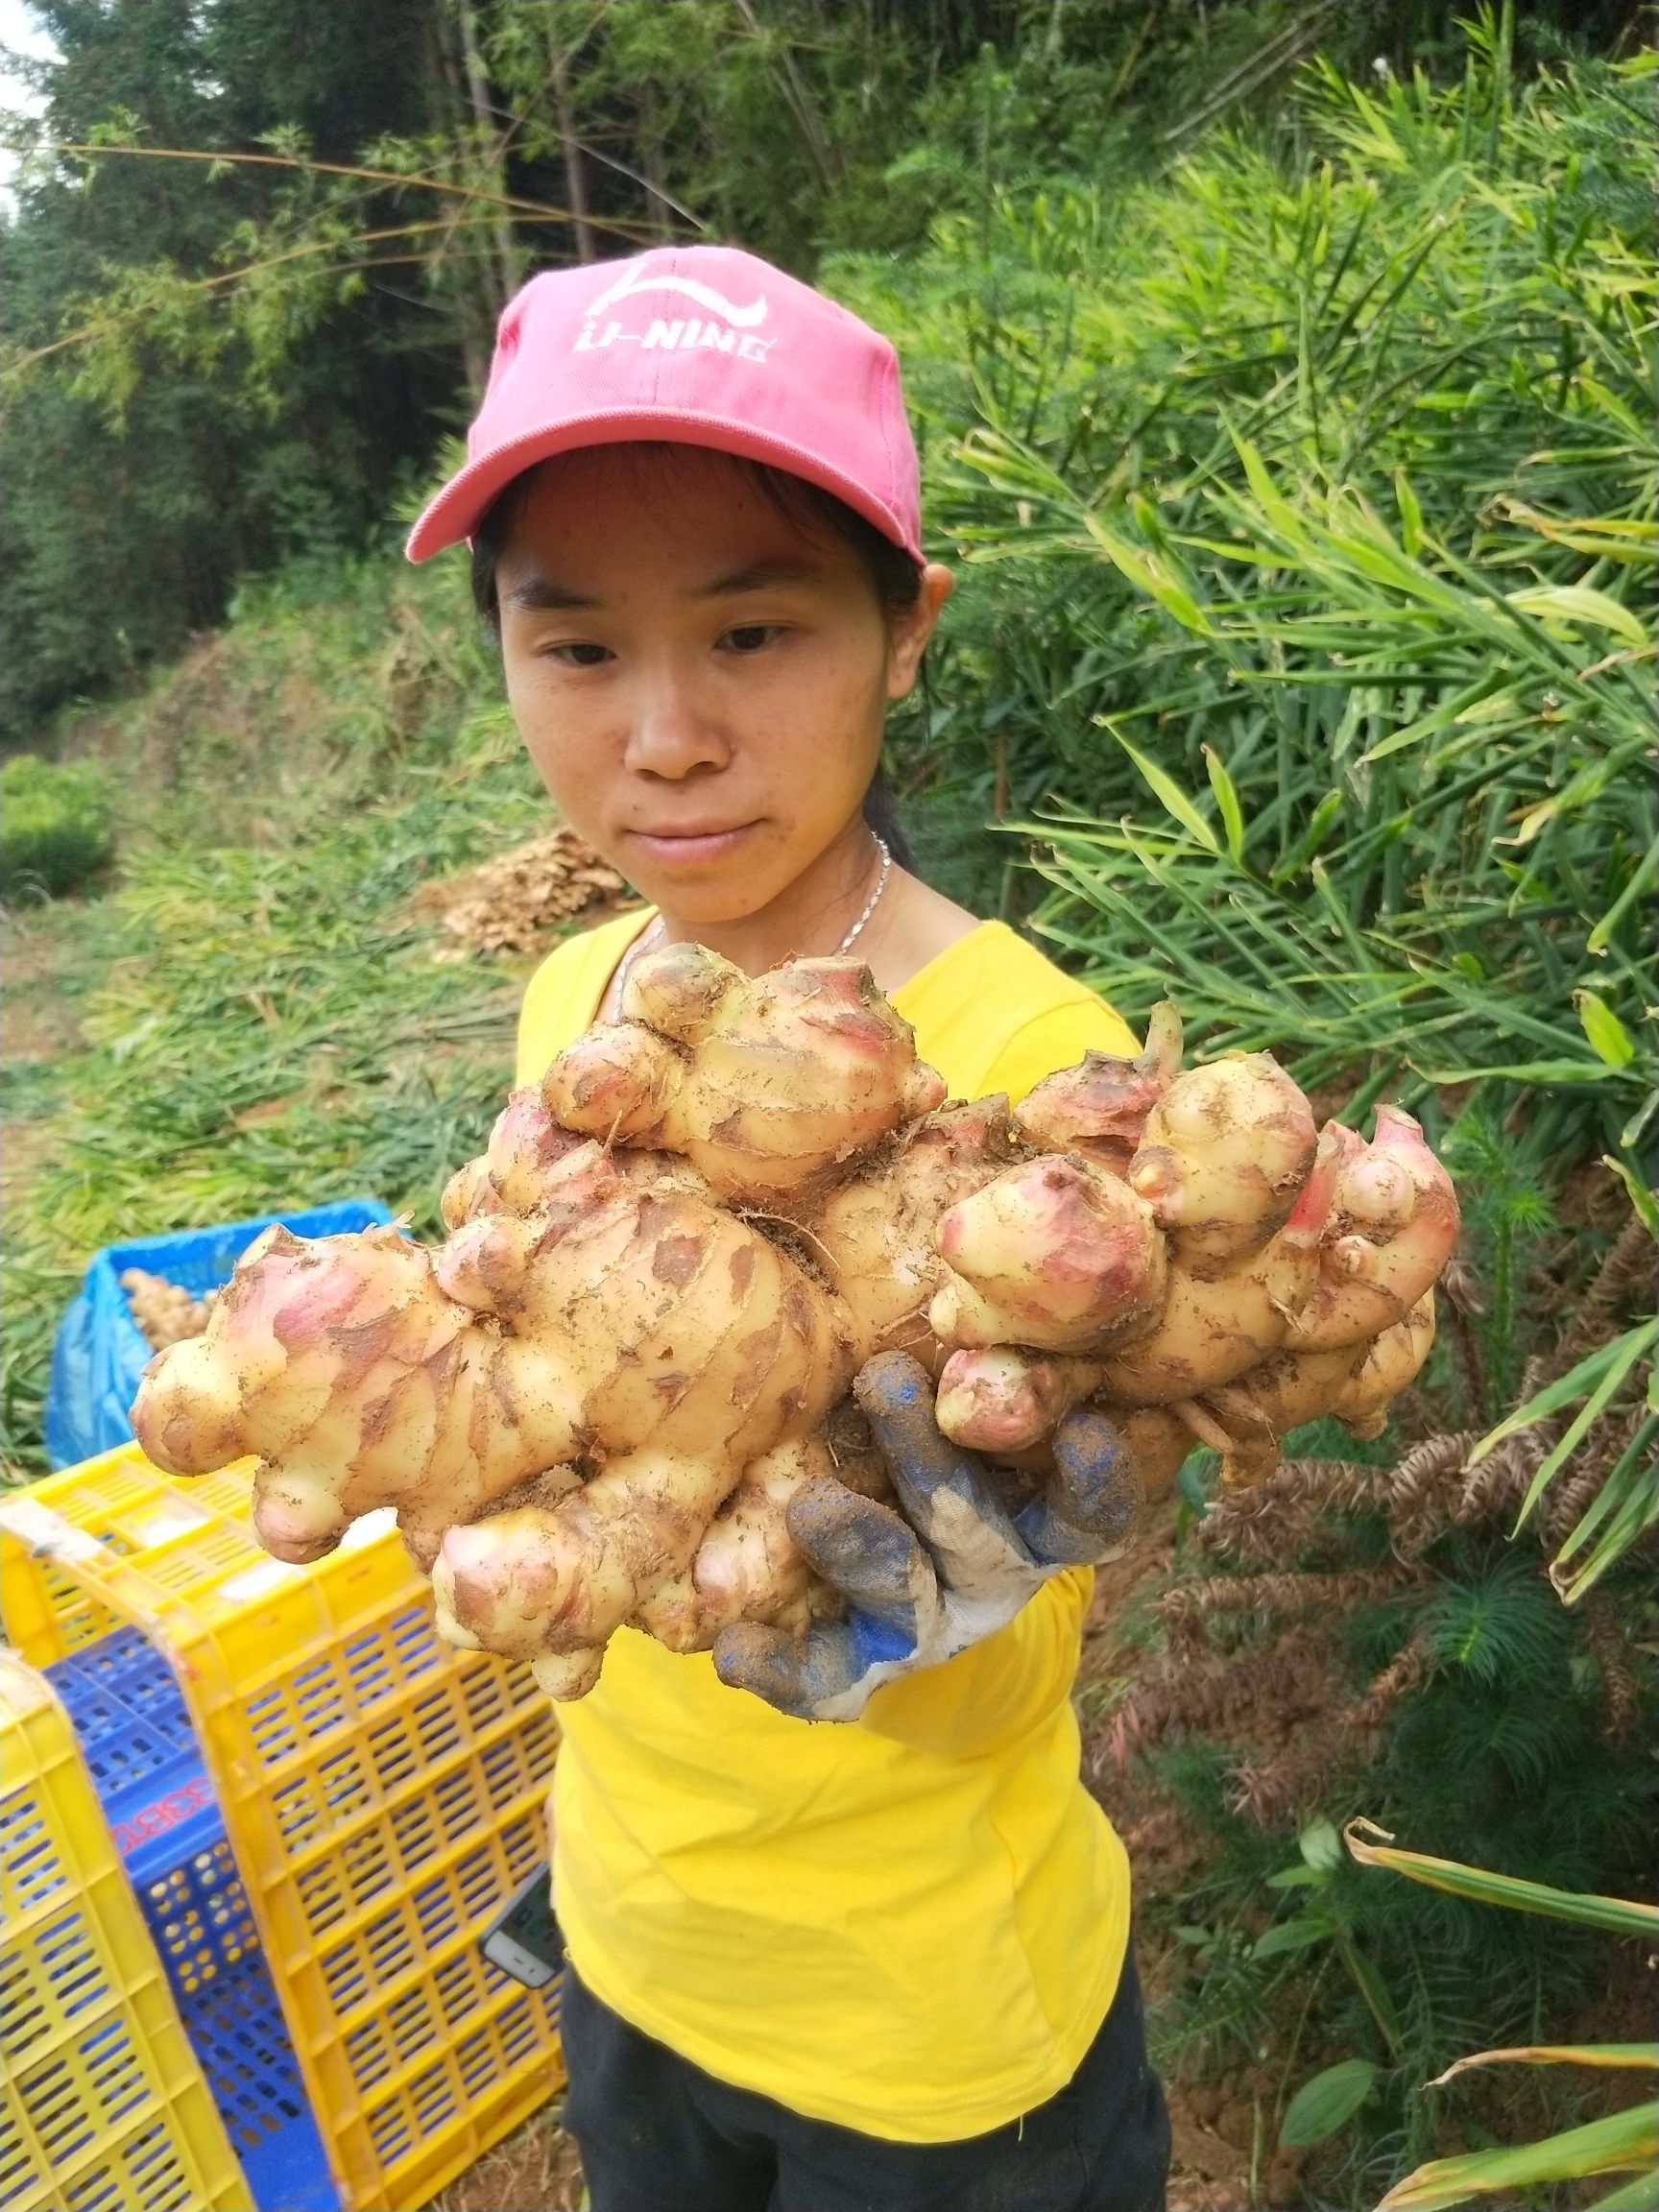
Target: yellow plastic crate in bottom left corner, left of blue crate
<point x="103" y="2105"/>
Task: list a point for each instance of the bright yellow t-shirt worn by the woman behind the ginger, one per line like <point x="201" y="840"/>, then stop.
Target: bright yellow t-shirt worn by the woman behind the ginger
<point x="915" y="1923"/>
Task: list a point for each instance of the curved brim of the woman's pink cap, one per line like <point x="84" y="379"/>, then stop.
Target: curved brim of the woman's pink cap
<point x="463" y="503"/>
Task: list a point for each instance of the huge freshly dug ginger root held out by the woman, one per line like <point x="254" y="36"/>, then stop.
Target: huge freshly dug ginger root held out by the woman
<point x="596" y="1404"/>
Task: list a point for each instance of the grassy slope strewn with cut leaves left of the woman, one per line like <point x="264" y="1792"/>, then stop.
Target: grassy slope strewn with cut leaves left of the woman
<point x="264" y="1019"/>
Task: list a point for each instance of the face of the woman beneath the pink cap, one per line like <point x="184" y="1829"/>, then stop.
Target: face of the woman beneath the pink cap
<point x="698" y="680"/>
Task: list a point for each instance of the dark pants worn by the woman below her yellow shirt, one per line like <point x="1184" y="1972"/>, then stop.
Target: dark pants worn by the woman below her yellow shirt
<point x="660" y="2136"/>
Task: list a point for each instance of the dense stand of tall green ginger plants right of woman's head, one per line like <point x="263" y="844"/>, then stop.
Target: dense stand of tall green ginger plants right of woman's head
<point x="1308" y="512"/>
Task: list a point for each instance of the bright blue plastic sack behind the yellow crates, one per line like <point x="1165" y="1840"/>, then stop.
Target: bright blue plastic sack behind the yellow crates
<point x="101" y="1350"/>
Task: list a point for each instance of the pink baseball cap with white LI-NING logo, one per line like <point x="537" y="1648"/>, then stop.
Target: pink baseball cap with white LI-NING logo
<point x="698" y="346"/>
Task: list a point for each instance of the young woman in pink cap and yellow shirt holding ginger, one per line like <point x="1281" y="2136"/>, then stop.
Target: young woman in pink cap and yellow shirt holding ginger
<point x="815" y="1965"/>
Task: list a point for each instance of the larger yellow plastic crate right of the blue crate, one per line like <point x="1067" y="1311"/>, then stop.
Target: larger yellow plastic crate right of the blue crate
<point x="382" y="1795"/>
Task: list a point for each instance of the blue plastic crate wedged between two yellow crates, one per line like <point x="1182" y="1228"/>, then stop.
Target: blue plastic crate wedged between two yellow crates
<point x="143" y="1755"/>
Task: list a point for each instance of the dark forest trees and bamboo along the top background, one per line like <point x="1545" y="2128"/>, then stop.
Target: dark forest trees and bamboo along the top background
<point x="260" y="244"/>
